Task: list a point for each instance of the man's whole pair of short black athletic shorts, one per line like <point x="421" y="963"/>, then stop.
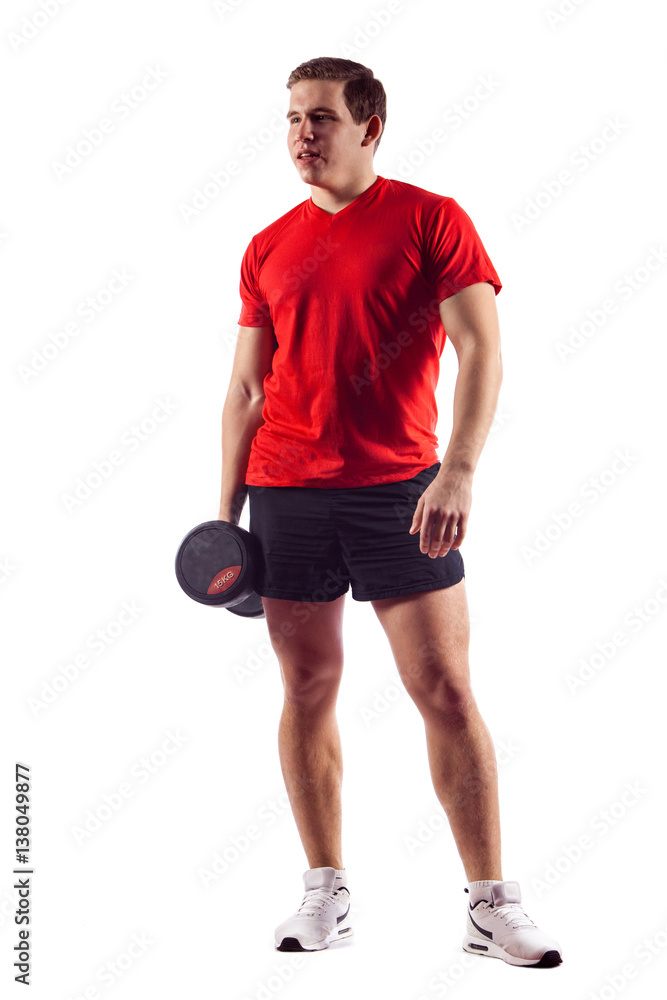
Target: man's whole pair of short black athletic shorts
<point x="316" y="542"/>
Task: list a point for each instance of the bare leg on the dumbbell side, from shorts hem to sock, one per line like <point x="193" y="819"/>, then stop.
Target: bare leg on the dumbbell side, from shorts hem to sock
<point x="311" y="664"/>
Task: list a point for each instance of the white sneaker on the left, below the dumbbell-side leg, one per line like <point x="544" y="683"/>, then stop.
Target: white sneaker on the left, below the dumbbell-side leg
<point x="322" y="917"/>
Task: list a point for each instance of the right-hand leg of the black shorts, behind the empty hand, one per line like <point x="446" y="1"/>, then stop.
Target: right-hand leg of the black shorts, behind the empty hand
<point x="382" y="557"/>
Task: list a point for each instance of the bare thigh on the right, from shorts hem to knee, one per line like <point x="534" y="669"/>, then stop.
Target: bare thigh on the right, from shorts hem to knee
<point x="429" y="634"/>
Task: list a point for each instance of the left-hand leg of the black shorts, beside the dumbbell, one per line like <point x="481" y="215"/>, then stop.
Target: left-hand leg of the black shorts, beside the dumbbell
<point x="301" y="557"/>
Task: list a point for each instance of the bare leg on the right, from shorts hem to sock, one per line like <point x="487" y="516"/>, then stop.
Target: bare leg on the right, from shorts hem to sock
<point x="429" y="635"/>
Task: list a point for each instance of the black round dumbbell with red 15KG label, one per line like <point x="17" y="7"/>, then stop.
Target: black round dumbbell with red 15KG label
<point x="217" y="564"/>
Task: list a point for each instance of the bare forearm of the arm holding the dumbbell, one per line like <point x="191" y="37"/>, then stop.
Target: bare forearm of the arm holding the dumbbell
<point x="241" y="418"/>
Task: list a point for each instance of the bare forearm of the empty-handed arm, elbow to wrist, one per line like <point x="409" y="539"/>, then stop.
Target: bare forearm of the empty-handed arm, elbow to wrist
<point x="475" y="401"/>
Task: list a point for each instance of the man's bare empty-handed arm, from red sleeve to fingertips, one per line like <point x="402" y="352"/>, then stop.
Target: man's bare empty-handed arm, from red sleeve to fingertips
<point x="470" y="319"/>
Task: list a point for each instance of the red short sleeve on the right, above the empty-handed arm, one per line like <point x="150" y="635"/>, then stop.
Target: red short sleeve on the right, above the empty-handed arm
<point x="454" y="255"/>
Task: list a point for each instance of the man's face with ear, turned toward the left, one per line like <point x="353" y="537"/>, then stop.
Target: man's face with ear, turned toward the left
<point x="320" y="122"/>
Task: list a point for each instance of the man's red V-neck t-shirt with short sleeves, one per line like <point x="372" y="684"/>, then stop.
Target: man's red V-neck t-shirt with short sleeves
<point x="353" y="301"/>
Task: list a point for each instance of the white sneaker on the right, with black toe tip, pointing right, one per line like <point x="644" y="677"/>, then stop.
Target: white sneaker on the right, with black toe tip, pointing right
<point x="498" y="927"/>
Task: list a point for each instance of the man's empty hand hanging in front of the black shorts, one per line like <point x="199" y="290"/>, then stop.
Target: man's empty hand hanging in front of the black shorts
<point x="442" y="512"/>
